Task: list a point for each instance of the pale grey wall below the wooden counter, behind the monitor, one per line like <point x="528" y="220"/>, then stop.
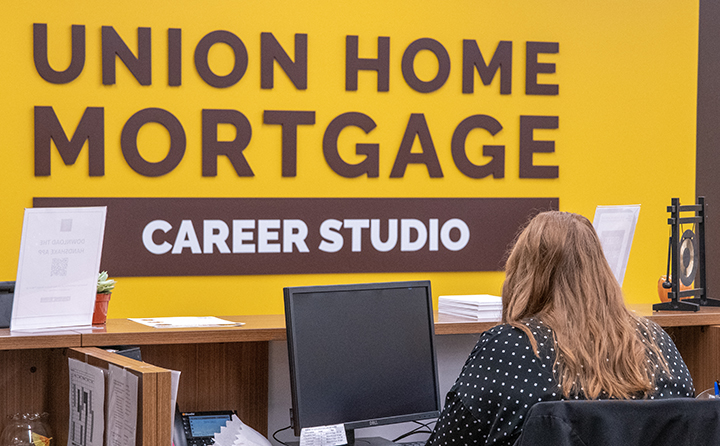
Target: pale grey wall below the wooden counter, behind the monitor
<point x="452" y="351"/>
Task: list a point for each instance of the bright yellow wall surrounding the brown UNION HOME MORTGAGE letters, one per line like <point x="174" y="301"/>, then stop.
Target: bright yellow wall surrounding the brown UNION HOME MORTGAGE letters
<point x="626" y="106"/>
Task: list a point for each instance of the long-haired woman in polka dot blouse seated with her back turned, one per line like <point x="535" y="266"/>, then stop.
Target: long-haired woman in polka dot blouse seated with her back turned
<point x="566" y="334"/>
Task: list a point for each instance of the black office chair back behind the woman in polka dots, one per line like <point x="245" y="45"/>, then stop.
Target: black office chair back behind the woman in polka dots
<point x="671" y="422"/>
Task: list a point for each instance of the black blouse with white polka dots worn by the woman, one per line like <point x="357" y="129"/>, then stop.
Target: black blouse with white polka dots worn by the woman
<point x="502" y="378"/>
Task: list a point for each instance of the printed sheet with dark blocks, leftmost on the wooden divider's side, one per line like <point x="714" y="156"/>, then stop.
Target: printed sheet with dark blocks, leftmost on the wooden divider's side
<point x="87" y="401"/>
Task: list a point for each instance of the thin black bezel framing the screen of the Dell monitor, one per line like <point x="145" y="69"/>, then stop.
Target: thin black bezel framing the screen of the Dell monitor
<point x="296" y="415"/>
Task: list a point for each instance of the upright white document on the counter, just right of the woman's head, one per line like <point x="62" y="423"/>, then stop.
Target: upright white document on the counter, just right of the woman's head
<point x="615" y="226"/>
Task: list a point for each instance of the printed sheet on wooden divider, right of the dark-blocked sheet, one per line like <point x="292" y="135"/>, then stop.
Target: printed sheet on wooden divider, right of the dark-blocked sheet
<point x="122" y="407"/>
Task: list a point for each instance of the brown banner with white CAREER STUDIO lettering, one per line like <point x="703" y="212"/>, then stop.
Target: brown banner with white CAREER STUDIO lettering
<point x="248" y="236"/>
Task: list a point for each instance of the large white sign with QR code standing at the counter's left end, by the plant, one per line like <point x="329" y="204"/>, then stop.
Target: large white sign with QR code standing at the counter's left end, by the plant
<point x="58" y="267"/>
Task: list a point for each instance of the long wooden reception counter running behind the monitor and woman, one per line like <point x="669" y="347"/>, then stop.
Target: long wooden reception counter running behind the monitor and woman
<point x="228" y="367"/>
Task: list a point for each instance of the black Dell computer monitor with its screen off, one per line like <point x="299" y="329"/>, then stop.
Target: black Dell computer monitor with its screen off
<point x="361" y="355"/>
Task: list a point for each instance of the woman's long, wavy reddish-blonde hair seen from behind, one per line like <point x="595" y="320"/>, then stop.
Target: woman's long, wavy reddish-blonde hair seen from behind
<point x="557" y="273"/>
